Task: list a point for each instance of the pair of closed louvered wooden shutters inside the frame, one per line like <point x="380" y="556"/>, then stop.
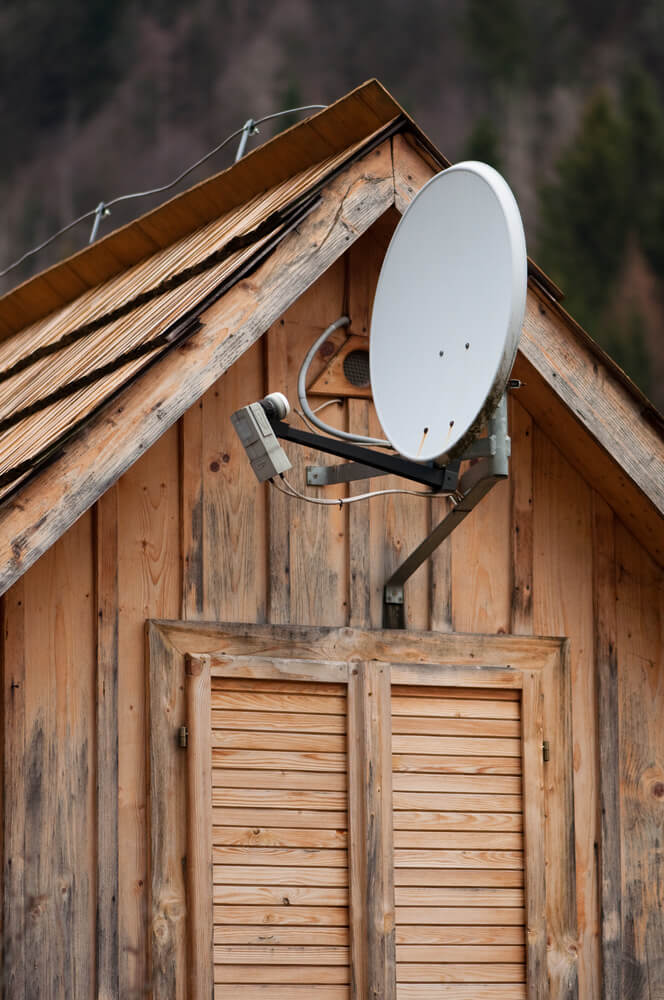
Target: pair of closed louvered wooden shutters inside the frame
<point x="363" y="829"/>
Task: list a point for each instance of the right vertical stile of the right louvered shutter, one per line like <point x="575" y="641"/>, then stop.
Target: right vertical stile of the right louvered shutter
<point x="534" y="822"/>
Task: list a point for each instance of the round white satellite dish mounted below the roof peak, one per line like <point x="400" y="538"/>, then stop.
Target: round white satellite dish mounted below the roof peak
<point x="448" y="312"/>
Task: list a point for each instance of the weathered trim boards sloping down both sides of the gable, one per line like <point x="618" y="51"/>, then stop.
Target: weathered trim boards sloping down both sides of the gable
<point x="600" y="422"/>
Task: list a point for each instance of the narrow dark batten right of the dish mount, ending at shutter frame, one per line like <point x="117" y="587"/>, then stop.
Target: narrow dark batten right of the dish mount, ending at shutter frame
<point x="521" y="519"/>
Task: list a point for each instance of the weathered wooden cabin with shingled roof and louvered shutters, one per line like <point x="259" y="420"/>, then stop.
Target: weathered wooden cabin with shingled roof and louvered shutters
<point x="221" y="775"/>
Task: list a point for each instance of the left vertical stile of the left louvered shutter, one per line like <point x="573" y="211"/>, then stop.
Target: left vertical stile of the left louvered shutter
<point x="199" y="826"/>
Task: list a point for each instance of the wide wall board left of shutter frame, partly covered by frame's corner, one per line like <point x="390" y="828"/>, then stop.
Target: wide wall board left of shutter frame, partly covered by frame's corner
<point x="149" y="583"/>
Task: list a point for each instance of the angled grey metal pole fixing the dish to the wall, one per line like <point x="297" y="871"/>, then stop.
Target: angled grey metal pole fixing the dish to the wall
<point x="475" y="484"/>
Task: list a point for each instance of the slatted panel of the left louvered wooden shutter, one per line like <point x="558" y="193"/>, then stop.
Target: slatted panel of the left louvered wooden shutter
<point x="279" y="839"/>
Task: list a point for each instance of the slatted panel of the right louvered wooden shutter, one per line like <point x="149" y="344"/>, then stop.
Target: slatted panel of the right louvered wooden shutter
<point x="458" y="843"/>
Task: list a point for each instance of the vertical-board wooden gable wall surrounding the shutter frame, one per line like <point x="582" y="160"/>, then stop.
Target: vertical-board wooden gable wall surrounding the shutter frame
<point x="187" y="533"/>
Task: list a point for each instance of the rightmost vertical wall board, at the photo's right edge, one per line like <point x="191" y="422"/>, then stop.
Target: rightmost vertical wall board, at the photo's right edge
<point x="640" y="617"/>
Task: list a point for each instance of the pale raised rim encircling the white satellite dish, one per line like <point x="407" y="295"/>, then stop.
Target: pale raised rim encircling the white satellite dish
<point x="518" y="267"/>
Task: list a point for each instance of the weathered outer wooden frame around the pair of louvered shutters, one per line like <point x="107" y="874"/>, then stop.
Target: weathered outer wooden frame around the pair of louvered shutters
<point x="502" y="661"/>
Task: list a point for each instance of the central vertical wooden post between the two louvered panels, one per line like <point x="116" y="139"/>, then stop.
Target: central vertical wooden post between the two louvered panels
<point x="371" y="851"/>
